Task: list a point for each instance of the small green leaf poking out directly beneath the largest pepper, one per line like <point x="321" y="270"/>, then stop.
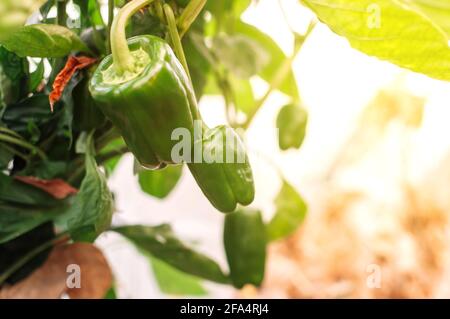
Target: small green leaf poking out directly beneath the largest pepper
<point x="160" y="183"/>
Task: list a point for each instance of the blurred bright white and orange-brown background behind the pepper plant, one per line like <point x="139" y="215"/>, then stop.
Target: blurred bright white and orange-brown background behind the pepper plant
<point x="374" y="170"/>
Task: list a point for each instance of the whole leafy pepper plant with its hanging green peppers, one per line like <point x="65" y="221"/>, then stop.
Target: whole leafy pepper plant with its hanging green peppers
<point x="77" y="94"/>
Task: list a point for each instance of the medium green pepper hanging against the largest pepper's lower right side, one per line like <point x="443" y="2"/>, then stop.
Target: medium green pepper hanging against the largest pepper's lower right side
<point x="225" y="184"/>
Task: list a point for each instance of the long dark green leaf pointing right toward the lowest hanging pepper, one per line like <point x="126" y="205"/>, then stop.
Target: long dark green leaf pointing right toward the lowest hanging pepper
<point x="161" y="243"/>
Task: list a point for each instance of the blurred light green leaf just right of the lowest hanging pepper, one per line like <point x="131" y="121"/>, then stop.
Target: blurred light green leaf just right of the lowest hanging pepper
<point x="290" y="213"/>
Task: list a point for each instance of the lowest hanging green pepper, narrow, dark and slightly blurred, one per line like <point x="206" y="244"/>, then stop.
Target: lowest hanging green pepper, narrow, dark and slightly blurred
<point x="245" y="243"/>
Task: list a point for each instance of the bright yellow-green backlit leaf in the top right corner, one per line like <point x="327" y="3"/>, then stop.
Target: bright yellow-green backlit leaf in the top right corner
<point x="389" y="30"/>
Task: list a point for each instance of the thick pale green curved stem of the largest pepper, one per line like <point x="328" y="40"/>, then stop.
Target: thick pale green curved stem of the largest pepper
<point x="123" y="60"/>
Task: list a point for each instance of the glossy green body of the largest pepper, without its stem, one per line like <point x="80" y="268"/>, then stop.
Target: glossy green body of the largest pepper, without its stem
<point x="148" y="107"/>
